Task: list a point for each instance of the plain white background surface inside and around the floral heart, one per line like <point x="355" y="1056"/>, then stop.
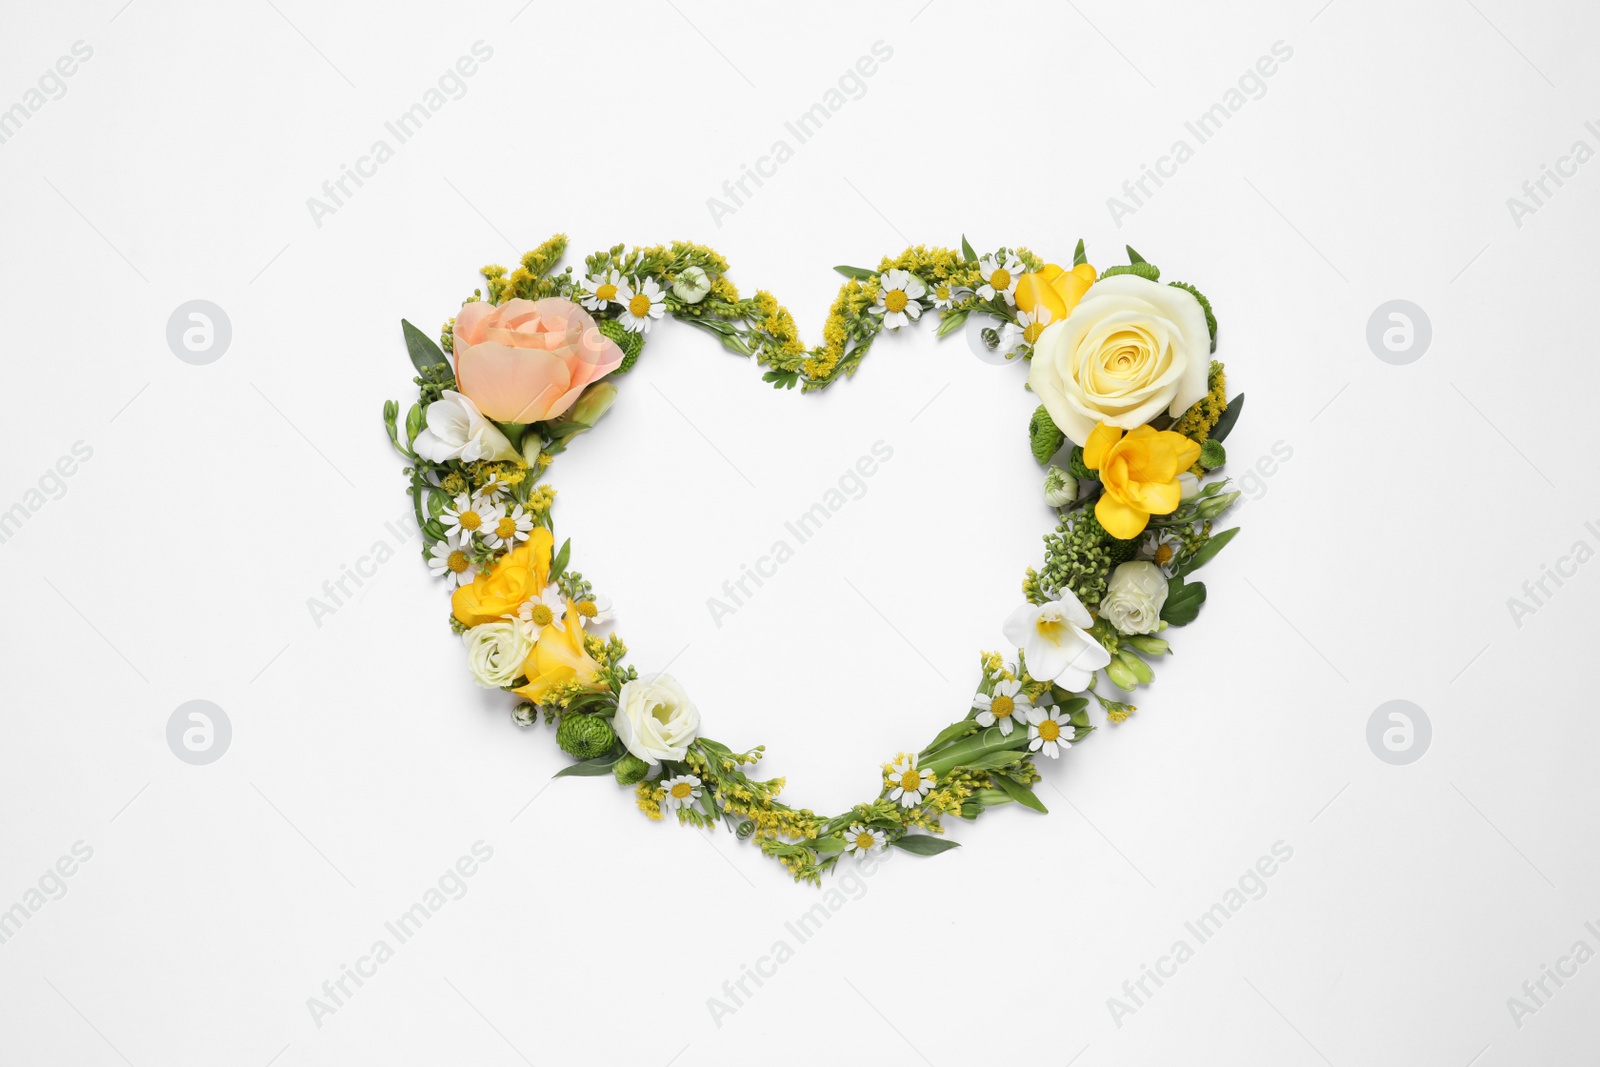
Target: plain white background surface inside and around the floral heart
<point x="1375" y="564"/>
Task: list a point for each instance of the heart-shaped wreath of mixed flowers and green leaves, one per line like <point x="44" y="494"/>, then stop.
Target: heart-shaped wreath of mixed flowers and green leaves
<point x="1134" y="415"/>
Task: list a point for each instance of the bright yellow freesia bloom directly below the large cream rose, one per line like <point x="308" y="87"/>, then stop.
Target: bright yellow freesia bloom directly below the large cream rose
<point x="1140" y="474"/>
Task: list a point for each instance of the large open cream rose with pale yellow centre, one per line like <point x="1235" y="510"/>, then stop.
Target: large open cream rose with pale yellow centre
<point x="1129" y="351"/>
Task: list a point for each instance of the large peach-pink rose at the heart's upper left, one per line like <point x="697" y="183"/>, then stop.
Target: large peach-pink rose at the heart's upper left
<point x="529" y="361"/>
